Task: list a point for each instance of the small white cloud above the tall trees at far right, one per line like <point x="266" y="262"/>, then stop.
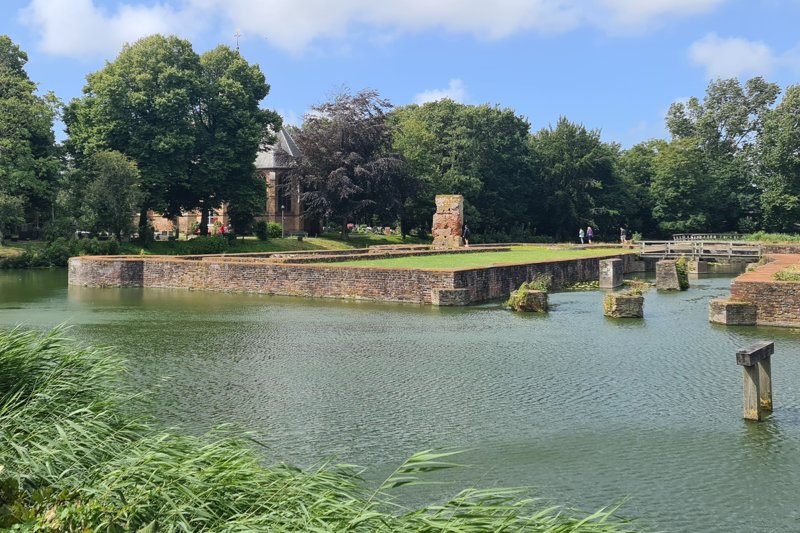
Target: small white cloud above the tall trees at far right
<point x="732" y="57"/>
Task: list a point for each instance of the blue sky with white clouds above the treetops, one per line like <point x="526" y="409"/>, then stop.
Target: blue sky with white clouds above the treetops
<point x="612" y="65"/>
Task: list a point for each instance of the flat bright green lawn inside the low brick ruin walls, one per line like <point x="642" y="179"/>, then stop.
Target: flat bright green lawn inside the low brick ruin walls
<point x="517" y="254"/>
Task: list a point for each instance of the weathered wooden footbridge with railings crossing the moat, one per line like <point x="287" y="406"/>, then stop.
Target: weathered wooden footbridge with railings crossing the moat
<point x="727" y="250"/>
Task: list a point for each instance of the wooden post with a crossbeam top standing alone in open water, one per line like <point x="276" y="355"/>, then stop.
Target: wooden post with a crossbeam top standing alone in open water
<point x="757" y="375"/>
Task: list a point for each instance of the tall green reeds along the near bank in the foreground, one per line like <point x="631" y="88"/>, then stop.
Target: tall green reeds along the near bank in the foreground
<point x="76" y="454"/>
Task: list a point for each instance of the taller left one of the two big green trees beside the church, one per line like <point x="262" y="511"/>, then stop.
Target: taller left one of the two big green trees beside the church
<point x="141" y="105"/>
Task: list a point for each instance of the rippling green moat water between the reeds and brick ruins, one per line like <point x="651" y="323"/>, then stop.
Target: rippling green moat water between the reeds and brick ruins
<point x="588" y="410"/>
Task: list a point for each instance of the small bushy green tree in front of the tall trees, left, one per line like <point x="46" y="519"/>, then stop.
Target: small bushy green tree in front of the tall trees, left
<point x="112" y="196"/>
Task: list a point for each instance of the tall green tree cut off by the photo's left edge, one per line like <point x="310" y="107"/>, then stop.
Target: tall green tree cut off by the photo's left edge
<point x="28" y="159"/>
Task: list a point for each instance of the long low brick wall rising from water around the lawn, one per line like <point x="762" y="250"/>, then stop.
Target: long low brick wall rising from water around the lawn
<point x="322" y="280"/>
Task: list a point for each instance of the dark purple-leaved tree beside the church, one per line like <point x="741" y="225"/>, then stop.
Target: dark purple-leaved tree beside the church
<point x="347" y="167"/>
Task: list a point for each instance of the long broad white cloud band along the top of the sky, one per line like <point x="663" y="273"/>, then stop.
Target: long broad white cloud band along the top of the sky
<point x="80" y="27"/>
